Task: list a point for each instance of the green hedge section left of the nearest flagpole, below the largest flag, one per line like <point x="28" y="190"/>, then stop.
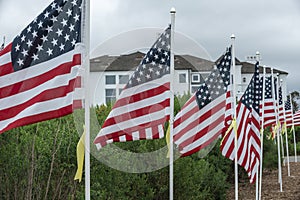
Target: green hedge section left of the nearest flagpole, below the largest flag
<point x="37" y="157"/>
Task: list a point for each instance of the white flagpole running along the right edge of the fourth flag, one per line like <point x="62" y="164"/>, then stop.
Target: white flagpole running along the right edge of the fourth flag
<point x="262" y="132"/>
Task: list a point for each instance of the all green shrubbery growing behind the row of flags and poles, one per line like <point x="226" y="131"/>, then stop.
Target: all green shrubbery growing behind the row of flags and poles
<point x="39" y="162"/>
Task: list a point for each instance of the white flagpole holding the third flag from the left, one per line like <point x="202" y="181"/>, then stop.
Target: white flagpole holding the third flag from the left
<point x="234" y="116"/>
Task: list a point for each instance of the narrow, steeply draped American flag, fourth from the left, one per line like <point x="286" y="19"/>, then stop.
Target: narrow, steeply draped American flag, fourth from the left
<point x="248" y="130"/>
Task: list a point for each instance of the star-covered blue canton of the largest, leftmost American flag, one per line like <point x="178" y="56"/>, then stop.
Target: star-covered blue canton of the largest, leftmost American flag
<point x="54" y="32"/>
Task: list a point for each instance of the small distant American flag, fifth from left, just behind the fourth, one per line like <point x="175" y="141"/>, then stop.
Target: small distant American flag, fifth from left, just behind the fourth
<point x="269" y="103"/>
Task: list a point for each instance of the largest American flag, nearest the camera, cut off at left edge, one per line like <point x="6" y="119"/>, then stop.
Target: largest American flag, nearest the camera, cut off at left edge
<point x="38" y="69"/>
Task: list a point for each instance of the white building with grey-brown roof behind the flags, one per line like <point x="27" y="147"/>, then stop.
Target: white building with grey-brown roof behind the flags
<point x="109" y="74"/>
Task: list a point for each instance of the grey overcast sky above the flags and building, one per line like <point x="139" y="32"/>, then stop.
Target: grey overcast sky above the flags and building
<point x="268" y="26"/>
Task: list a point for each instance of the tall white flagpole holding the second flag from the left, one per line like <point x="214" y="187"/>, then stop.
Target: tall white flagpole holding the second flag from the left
<point x="171" y="150"/>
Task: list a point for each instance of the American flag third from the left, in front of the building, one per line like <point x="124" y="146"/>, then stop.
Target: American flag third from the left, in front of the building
<point x="201" y="120"/>
